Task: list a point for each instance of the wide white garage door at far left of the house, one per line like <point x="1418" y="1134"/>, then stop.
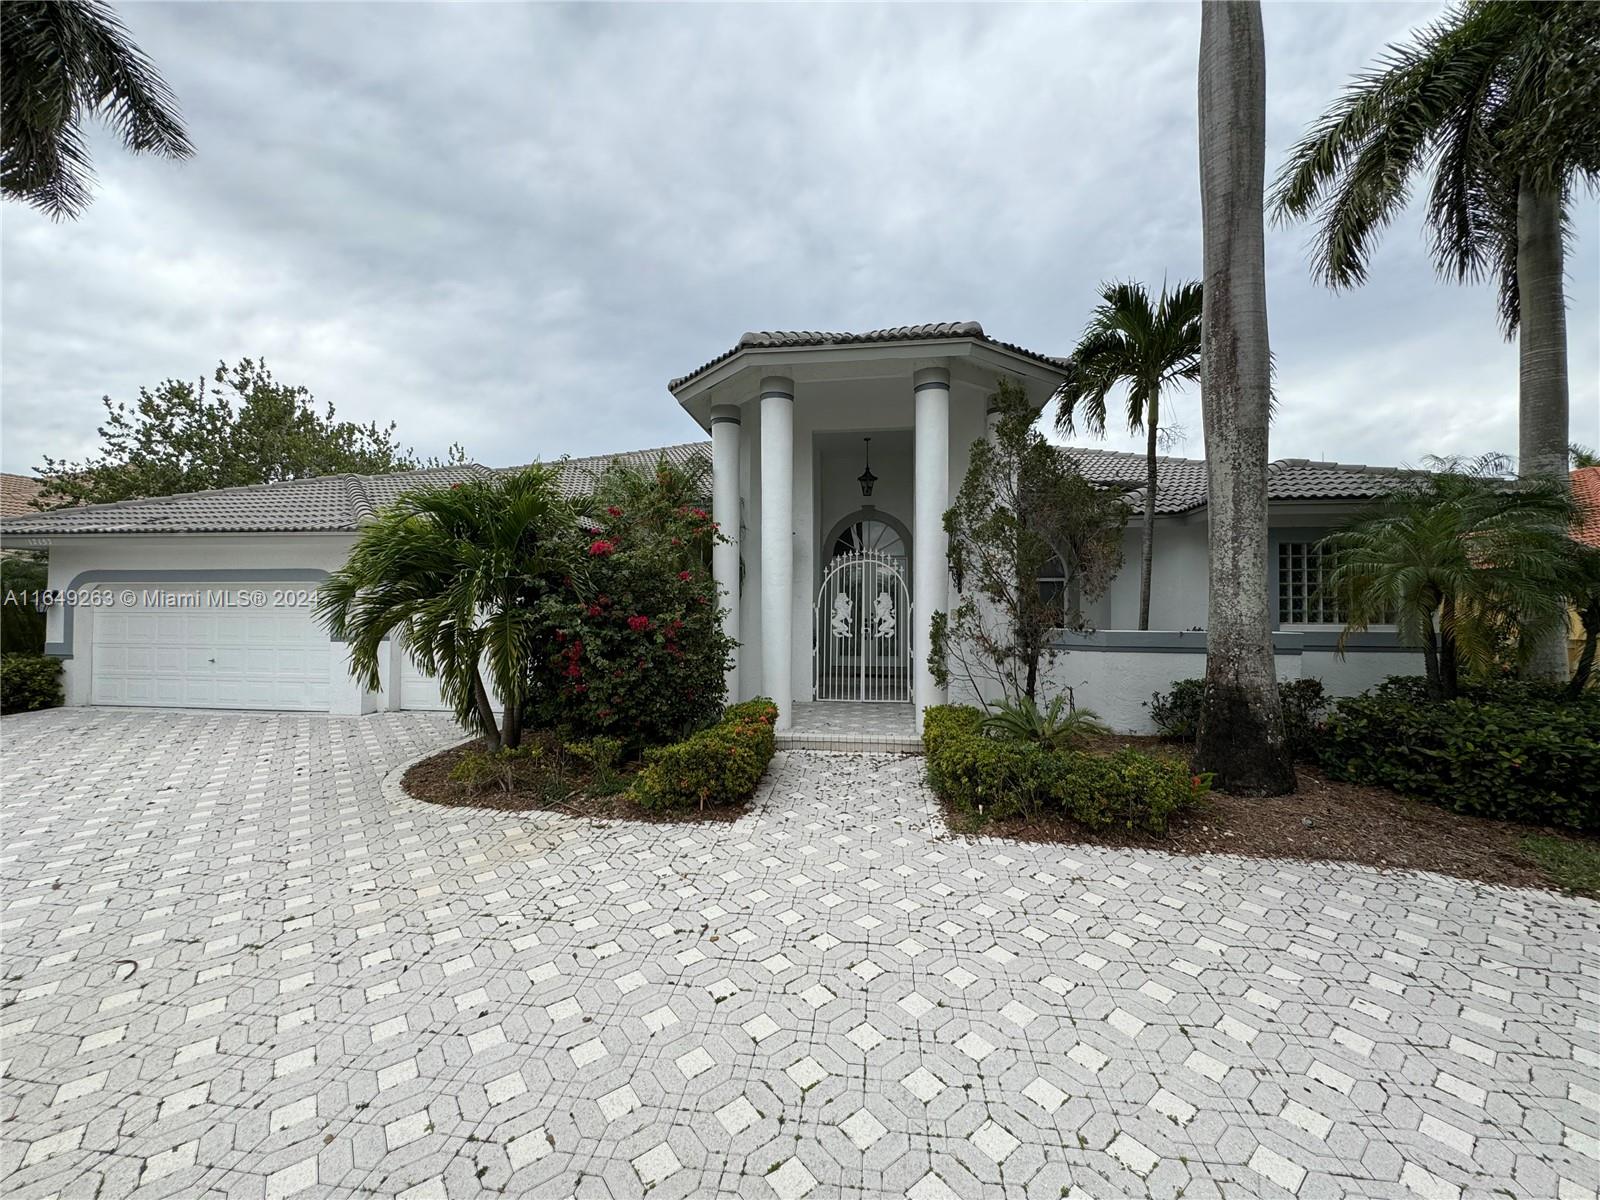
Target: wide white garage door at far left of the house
<point x="202" y="650"/>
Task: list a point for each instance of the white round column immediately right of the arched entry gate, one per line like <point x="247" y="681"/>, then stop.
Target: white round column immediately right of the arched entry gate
<point x="930" y="569"/>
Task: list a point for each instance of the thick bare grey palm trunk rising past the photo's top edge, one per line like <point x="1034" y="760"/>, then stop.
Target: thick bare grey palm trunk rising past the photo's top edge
<point x="1241" y="737"/>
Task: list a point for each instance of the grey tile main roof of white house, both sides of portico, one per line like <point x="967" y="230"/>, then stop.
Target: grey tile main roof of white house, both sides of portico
<point x="342" y="503"/>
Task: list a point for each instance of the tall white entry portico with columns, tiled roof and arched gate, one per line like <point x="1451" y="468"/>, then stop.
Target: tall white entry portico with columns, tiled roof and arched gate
<point x="790" y="417"/>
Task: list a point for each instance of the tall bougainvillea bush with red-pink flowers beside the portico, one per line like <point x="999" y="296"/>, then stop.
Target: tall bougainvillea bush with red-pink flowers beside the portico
<point x="633" y="642"/>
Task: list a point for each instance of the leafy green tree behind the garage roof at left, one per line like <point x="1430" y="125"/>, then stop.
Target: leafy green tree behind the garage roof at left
<point x="241" y="428"/>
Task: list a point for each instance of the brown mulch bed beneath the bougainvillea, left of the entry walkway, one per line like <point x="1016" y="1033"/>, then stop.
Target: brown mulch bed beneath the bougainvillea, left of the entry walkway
<point x="530" y="793"/>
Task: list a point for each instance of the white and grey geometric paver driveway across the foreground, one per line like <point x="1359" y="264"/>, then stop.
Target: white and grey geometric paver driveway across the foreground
<point x="236" y="966"/>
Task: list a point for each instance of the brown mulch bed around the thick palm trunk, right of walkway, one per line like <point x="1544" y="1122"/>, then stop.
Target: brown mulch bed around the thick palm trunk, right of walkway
<point x="1324" y="822"/>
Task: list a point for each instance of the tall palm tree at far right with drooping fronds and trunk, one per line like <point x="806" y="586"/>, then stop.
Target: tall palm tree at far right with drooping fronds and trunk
<point x="1502" y="103"/>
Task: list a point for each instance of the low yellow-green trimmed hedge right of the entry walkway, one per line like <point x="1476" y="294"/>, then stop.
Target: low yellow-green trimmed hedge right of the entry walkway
<point x="994" y="777"/>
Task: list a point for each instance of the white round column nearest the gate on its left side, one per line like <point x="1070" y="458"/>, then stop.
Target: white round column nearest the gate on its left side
<point x="778" y="502"/>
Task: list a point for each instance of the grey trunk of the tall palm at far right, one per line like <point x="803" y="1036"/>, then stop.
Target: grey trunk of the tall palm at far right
<point x="1542" y="351"/>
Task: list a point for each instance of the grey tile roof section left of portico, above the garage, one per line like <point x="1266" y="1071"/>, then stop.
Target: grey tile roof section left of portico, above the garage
<point x="324" y="505"/>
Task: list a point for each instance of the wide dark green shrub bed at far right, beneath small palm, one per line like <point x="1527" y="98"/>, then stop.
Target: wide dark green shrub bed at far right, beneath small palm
<point x="1535" y="761"/>
